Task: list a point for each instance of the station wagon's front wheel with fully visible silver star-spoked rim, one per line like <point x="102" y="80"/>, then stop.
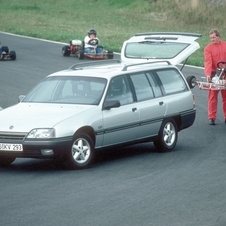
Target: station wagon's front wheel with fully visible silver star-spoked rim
<point x="81" y="154"/>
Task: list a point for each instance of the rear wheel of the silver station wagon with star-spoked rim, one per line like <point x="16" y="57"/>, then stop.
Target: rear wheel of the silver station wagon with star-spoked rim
<point x="167" y="137"/>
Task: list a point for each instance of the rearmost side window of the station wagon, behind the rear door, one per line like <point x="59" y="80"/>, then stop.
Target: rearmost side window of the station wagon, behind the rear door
<point x="172" y="81"/>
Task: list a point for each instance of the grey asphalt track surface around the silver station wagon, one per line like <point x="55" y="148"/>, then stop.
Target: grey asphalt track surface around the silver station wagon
<point x="129" y="186"/>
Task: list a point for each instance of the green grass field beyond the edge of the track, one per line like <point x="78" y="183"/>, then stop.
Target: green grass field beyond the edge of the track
<point x="114" y="20"/>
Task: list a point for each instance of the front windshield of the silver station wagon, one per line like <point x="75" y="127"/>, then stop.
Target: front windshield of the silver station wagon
<point x="68" y="90"/>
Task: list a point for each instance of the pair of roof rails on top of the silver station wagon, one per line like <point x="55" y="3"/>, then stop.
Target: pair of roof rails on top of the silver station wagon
<point x="80" y="66"/>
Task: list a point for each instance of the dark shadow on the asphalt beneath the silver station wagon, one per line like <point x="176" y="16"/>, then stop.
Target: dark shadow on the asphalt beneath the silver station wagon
<point x="102" y="157"/>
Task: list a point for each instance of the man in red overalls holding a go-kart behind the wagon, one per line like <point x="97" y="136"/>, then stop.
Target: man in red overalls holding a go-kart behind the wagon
<point x="214" y="53"/>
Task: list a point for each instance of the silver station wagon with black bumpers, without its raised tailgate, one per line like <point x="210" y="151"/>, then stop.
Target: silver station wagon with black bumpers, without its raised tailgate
<point x="71" y="114"/>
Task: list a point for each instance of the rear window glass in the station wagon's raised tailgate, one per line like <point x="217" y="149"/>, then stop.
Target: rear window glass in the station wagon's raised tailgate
<point x="154" y="50"/>
